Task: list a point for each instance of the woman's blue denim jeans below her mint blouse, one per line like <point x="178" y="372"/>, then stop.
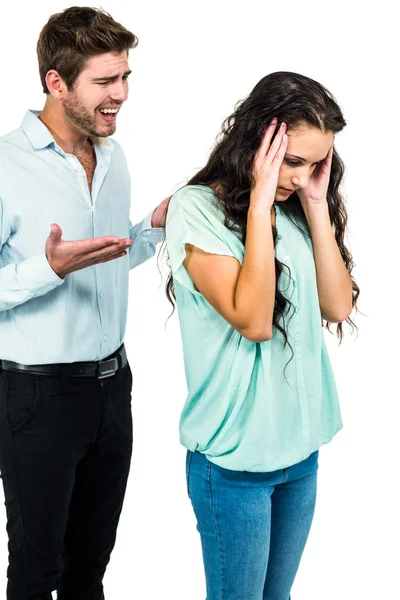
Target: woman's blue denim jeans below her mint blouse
<point x="253" y="526"/>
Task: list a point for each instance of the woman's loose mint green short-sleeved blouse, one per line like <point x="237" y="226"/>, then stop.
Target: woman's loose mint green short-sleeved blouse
<point x="244" y="410"/>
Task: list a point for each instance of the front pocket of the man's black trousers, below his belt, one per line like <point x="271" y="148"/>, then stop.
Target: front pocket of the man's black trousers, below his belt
<point x="21" y="397"/>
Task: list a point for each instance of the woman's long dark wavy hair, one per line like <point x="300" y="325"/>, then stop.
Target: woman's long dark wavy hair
<point x="295" y="100"/>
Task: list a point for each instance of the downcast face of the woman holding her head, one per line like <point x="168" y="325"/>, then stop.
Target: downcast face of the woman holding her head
<point x="306" y="148"/>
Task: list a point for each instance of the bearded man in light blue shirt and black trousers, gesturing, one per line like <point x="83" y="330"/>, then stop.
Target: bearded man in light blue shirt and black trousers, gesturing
<point x="65" y="383"/>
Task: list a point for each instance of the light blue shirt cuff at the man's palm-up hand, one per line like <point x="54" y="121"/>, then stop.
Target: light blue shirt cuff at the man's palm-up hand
<point x="37" y="275"/>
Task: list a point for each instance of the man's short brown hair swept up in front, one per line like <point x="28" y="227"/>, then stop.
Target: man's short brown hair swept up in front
<point x="73" y="36"/>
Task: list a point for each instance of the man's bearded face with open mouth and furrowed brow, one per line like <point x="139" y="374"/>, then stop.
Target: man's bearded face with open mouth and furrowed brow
<point x="92" y="105"/>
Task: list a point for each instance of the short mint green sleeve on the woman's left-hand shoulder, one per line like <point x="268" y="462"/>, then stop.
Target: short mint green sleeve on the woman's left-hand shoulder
<point x="193" y="218"/>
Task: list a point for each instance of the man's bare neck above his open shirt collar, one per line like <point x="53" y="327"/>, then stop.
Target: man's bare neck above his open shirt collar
<point x="69" y="140"/>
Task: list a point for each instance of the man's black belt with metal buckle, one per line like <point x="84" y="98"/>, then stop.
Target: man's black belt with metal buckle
<point x="101" y="369"/>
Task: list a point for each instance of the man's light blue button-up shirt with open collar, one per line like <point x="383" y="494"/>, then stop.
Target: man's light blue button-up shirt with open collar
<point x="45" y="319"/>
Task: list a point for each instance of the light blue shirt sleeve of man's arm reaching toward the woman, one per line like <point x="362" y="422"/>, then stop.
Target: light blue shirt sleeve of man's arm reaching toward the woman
<point x="144" y="241"/>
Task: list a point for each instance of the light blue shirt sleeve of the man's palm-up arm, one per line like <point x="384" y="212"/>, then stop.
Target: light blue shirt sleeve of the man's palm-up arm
<point x="29" y="279"/>
